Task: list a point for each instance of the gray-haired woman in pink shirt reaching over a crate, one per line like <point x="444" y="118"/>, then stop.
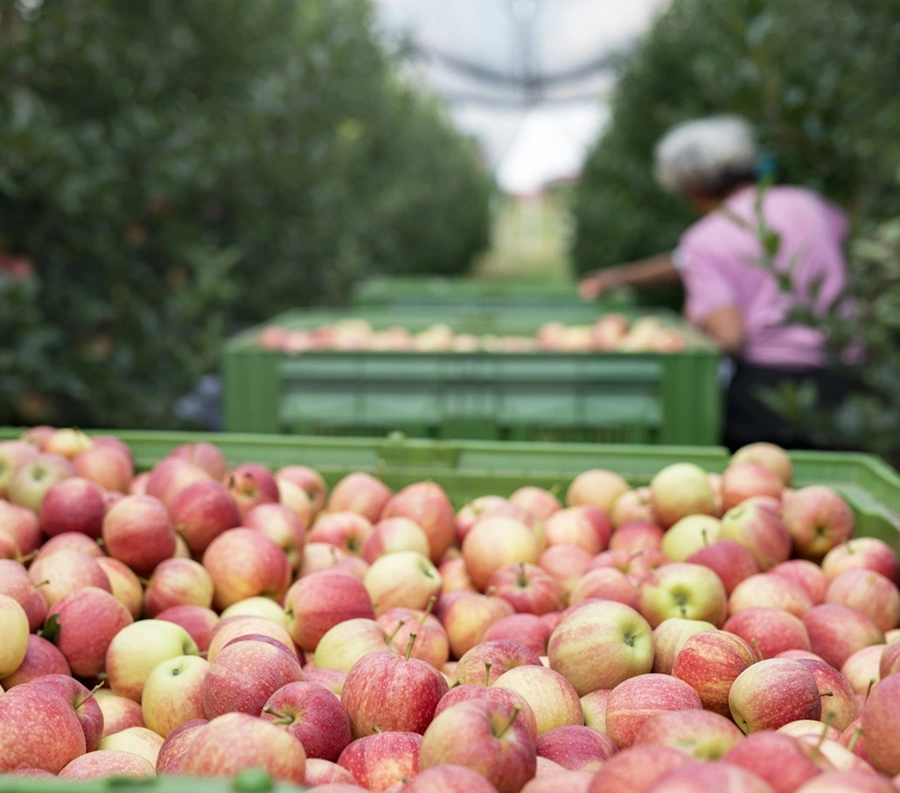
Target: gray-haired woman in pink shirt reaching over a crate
<point x="754" y="257"/>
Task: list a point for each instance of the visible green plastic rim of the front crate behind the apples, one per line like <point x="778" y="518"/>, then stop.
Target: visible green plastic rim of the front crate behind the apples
<point x="467" y="469"/>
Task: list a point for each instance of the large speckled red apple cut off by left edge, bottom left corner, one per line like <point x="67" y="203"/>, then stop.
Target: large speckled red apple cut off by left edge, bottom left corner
<point x="38" y="729"/>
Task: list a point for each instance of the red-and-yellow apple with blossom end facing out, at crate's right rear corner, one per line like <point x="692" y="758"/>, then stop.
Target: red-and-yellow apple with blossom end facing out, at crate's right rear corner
<point x="817" y="519"/>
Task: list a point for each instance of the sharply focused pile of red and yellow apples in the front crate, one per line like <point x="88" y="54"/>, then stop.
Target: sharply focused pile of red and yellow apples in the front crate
<point x="703" y="633"/>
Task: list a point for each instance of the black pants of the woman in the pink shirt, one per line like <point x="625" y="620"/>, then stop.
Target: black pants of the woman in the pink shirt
<point x="748" y="419"/>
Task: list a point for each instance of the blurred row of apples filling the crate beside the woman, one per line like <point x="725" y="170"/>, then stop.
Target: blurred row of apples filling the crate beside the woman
<point x="611" y="332"/>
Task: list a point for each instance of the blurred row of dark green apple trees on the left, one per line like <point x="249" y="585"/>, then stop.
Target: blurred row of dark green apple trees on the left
<point x="175" y="170"/>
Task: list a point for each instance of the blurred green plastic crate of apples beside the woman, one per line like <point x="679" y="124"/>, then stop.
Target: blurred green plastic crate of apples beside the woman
<point x="671" y="398"/>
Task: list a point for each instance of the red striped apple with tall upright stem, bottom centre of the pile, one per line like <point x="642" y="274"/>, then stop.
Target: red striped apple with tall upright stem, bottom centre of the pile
<point x="395" y="693"/>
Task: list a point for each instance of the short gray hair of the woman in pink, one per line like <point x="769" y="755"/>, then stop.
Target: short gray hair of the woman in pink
<point x="709" y="156"/>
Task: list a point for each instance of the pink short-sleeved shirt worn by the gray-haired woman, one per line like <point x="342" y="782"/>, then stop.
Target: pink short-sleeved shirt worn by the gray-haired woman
<point x="721" y="265"/>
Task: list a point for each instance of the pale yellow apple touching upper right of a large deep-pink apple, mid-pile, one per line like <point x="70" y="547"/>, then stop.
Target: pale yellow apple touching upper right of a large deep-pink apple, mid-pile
<point x="402" y="579"/>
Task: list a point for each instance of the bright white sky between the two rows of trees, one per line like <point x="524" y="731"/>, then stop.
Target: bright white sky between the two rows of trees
<point x="526" y="145"/>
